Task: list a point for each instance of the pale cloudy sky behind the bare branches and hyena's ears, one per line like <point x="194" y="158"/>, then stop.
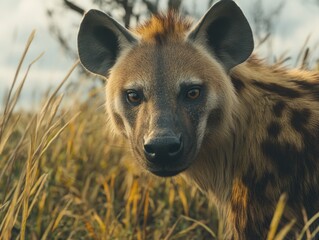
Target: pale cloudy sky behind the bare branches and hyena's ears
<point x="298" y="19"/>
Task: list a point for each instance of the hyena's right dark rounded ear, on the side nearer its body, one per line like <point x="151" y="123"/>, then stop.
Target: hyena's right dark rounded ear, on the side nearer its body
<point x="226" y="32"/>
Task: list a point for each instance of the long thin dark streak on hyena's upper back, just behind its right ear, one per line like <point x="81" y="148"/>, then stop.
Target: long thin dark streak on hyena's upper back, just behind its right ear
<point x="277" y="89"/>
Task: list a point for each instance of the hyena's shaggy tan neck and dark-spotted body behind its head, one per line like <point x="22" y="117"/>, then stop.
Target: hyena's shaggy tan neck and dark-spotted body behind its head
<point x="274" y="115"/>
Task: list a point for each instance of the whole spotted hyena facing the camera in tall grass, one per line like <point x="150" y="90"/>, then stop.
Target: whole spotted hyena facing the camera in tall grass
<point x="191" y="100"/>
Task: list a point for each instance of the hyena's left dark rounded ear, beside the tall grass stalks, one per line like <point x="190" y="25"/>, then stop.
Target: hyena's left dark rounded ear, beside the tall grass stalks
<point x="100" y="39"/>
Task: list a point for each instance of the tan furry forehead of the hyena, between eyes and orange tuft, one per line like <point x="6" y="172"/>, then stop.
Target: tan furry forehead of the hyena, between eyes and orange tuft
<point x="173" y="64"/>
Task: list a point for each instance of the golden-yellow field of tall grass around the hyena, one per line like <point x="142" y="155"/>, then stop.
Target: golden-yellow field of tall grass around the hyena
<point x="64" y="176"/>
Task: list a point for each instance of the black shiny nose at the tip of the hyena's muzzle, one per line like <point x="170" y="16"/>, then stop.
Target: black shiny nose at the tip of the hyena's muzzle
<point x="163" y="149"/>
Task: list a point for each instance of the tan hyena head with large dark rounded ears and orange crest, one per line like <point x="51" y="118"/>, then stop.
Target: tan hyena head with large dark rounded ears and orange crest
<point x="168" y="84"/>
